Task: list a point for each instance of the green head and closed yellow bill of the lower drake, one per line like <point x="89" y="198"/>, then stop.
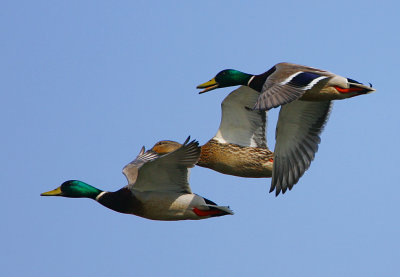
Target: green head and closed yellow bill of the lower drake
<point x="74" y="189"/>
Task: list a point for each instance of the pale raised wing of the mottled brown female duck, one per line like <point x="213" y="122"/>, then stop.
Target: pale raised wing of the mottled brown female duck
<point x="240" y="124"/>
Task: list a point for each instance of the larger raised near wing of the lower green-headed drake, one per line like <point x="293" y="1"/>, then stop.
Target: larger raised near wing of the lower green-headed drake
<point x="169" y="172"/>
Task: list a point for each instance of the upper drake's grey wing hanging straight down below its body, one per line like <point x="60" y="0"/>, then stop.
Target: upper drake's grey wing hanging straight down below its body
<point x="298" y="132"/>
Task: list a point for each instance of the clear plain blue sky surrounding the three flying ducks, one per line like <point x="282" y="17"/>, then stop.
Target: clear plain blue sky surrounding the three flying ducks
<point x="85" y="84"/>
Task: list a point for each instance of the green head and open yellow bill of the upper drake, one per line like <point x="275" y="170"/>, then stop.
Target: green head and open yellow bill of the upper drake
<point x="226" y="78"/>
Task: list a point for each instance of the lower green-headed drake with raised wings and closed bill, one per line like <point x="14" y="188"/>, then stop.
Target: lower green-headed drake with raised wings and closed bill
<point x="157" y="188"/>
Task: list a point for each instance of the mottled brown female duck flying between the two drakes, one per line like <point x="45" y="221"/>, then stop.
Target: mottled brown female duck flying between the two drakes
<point x="239" y="148"/>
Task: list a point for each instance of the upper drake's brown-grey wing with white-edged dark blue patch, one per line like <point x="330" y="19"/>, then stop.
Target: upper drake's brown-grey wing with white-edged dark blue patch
<point x="288" y="83"/>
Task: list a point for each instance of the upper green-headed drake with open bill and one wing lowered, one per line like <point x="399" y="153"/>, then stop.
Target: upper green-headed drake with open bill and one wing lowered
<point x="300" y="122"/>
